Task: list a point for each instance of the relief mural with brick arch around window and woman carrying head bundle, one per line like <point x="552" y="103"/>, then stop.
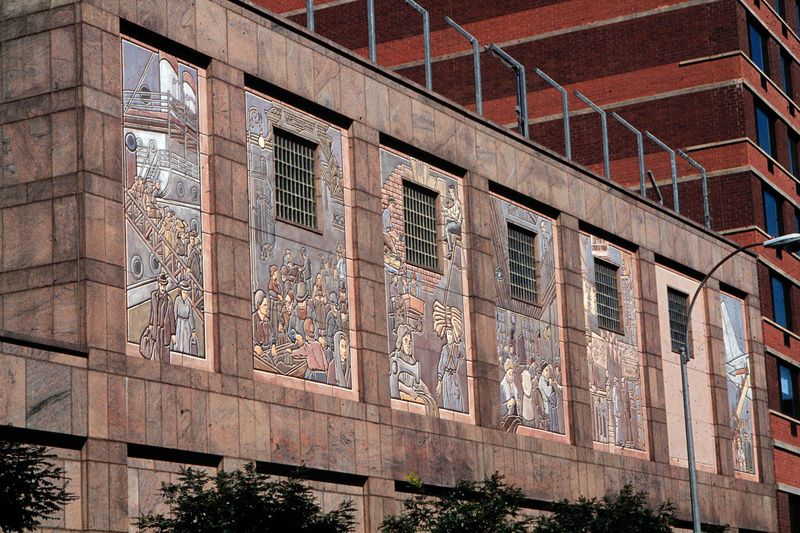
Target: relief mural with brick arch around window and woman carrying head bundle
<point x="426" y="310"/>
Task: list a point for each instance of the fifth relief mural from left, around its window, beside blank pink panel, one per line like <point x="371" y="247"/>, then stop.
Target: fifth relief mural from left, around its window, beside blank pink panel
<point x="614" y="358"/>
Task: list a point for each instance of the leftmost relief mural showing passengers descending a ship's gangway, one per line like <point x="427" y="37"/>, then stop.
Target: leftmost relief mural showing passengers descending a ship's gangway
<point x="163" y="224"/>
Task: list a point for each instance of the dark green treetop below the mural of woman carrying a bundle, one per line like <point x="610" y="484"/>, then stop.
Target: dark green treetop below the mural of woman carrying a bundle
<point x="489" y="507"/>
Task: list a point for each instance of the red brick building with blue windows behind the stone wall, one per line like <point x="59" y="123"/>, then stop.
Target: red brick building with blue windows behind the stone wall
<point x="718" y="79"/>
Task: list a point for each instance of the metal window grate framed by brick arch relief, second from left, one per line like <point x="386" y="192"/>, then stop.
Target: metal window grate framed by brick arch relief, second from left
<point x="419" y="214"/>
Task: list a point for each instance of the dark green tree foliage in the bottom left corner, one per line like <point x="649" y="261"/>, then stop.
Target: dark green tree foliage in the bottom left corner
<point x="32" y="489"/>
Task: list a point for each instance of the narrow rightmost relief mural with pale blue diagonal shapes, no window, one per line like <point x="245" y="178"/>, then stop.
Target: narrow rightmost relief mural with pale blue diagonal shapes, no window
<point x="740" y="396"/>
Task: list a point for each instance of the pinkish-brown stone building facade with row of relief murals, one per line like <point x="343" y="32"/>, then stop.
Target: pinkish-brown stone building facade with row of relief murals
<point x="173" y="293"/>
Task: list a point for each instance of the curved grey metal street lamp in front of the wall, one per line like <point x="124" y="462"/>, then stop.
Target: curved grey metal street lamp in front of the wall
<point x="790" y="243"/>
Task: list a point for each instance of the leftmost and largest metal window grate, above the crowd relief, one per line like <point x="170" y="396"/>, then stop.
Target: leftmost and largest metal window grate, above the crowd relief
<point x="295" y="186"/>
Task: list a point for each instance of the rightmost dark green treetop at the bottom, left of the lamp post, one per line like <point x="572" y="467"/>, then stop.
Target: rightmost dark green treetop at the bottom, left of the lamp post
<point x="625" y="513"/>
